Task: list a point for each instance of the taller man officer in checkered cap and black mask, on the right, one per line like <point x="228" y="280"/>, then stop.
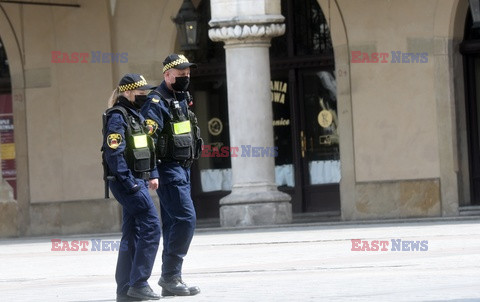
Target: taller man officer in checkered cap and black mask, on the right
<point x="177" y="139"/>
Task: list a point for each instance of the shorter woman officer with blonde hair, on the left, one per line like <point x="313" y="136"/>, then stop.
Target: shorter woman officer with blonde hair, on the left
<point x="127" y="154"/>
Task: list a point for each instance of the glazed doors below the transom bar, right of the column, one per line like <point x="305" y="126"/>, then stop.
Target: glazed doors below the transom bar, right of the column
<point x="305" y="131"/>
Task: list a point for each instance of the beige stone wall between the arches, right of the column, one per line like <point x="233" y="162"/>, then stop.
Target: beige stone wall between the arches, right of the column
<point x="399" y="129"/>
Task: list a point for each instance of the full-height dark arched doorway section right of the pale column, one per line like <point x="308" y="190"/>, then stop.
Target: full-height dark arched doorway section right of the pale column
<point x="309" y="155"/>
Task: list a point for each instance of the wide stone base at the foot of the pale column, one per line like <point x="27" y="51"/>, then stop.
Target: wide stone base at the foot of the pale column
<point x="254" y="209"/>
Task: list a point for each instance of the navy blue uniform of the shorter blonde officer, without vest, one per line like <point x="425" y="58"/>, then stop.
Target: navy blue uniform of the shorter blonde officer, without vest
<point x="141" y="225"/>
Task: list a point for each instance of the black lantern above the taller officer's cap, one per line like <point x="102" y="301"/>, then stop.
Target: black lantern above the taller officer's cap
<point x="187" y="21"/>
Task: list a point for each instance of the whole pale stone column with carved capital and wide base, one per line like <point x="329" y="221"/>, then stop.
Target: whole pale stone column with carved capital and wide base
<point x="246" y="27"/>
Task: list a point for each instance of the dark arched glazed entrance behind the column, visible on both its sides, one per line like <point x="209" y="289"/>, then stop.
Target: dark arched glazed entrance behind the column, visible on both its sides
<point x="304" y="107"/>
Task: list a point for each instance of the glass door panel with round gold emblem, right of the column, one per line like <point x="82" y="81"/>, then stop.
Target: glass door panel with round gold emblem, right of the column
<point x="319" y="142"/>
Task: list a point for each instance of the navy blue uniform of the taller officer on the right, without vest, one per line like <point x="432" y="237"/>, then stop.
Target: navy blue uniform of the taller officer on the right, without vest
<point x="177" y="210"/>
